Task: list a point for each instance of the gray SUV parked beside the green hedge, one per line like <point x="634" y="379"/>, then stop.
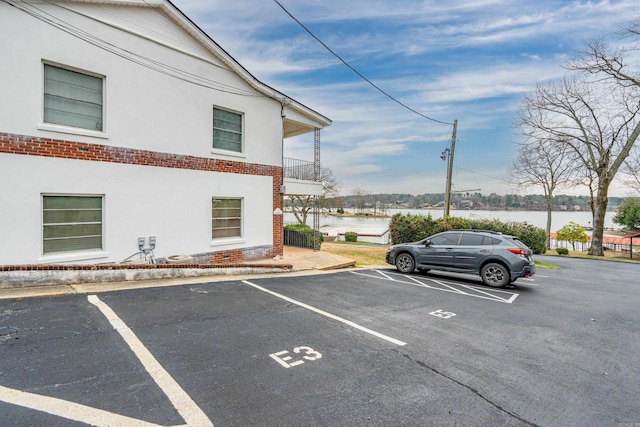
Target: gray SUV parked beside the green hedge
<point x="499" y="259"/>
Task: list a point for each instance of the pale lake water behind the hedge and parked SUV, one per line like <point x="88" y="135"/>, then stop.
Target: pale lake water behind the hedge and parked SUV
<point x="334" y="224"/>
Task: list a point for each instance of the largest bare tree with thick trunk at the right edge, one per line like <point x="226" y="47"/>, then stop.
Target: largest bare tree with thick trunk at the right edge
<point x="598" y="121"/>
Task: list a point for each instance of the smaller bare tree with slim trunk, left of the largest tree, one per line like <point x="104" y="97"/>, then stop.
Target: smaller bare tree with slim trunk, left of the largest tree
<point x="544" y="164"/>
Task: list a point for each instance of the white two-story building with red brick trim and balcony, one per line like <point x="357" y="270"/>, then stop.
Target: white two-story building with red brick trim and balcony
<point x="123" y="124"/>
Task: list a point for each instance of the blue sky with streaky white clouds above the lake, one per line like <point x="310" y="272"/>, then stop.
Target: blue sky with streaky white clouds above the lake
<point x="467" y="60"/>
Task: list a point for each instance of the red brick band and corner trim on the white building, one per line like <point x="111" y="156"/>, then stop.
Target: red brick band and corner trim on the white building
<point x="48" y="147"/>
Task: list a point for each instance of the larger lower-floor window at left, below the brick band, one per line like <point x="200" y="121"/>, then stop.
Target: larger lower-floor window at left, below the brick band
<point x="71" y="223"/>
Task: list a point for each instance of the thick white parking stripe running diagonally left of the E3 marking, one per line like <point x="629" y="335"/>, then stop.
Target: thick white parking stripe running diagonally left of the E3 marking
<point x="186" y="407"/>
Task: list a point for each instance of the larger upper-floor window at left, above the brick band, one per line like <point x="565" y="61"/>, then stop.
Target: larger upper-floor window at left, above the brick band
<point x="72" y="98"/>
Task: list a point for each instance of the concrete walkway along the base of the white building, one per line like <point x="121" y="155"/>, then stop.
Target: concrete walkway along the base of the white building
<point x="301" y="262"/>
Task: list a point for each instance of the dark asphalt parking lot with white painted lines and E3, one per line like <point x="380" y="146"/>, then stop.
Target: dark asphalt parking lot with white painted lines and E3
<point x="357" y="347"/>
